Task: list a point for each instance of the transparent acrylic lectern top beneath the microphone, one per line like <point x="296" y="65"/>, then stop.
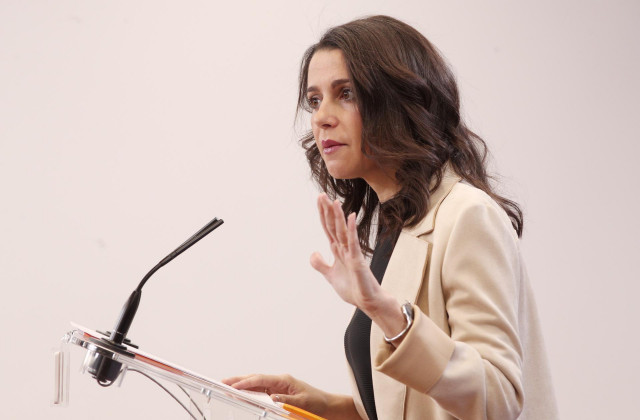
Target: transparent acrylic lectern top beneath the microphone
<point x="206" y="399"/>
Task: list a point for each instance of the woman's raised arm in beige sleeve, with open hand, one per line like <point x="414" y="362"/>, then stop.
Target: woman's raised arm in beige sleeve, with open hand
<point x="476" y="372"/>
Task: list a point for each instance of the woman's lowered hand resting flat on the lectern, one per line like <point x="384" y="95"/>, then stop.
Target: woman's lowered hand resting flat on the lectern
<point x="289" y="390"/>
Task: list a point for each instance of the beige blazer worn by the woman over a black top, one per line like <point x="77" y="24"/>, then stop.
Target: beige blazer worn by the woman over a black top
<point x="475" y="350"/>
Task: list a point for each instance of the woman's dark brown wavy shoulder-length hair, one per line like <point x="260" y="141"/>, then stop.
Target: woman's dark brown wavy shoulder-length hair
<point x="410" y="108"/>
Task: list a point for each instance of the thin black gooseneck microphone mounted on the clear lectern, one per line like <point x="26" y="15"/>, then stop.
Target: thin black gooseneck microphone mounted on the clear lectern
<point x="103" y="368"/>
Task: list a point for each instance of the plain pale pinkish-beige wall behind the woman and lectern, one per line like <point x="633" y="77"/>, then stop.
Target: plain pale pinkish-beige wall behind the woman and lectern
<point x="126" y="125"/>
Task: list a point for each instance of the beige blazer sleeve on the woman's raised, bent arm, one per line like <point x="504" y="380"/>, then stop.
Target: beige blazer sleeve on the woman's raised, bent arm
<point x="476" y="373"/>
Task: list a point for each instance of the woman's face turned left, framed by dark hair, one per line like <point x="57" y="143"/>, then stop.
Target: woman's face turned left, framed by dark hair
<point x="335" y="119"/>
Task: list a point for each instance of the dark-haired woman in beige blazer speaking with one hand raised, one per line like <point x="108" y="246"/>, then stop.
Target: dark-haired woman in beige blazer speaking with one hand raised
<point x="451" y="331"/>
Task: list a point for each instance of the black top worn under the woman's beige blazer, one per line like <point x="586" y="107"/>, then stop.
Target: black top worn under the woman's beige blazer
<point x="356" y="337"/>
